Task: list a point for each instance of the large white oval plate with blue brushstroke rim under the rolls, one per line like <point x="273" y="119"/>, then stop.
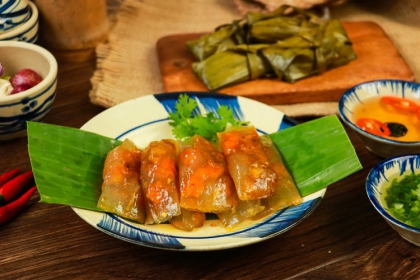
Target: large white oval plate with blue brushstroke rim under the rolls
<point x="146" y="119"/>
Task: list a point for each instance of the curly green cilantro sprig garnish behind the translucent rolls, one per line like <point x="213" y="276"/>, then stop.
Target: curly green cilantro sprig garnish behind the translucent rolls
<point x="185" y="123"/>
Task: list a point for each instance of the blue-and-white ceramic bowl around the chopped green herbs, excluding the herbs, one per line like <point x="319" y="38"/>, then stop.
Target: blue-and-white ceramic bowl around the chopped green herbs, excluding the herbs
<point x="380" y="177"/>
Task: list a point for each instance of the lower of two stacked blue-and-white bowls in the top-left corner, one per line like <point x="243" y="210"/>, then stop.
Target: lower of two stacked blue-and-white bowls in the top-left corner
<point x="27" y="31"/>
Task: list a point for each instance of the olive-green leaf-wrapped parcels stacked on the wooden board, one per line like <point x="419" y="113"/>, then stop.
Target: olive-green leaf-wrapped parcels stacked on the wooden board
<point x="289" y="46"/>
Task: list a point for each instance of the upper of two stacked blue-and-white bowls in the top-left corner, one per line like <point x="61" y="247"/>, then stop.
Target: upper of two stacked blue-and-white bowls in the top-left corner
<point x="13" y="13"/>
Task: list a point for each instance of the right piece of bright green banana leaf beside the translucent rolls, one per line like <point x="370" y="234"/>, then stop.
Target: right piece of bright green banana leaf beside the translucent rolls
<point x="317" y="153"/>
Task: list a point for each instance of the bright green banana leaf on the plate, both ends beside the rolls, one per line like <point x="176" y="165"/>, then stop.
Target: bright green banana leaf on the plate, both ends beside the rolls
<point x="67" y="163"/>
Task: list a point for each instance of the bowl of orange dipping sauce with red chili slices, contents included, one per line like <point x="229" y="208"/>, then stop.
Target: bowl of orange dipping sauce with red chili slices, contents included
<point x="385" y="115"/>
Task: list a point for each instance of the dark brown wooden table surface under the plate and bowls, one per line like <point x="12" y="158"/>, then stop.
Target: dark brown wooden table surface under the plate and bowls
<point x="345" y="238"/>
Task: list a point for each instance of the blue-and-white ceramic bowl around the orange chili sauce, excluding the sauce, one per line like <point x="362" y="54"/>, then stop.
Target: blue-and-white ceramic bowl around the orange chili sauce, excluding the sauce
<point x="358" y="94"/>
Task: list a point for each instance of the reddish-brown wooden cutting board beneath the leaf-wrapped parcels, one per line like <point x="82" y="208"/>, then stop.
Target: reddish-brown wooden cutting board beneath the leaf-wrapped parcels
<point x="377" y="58"/>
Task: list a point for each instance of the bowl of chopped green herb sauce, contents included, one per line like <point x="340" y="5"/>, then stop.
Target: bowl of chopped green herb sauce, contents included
<point x="393" y="188"/>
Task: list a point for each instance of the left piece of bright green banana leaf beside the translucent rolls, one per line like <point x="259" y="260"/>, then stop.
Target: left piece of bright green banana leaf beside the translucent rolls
<point x="67" y="163"/>
